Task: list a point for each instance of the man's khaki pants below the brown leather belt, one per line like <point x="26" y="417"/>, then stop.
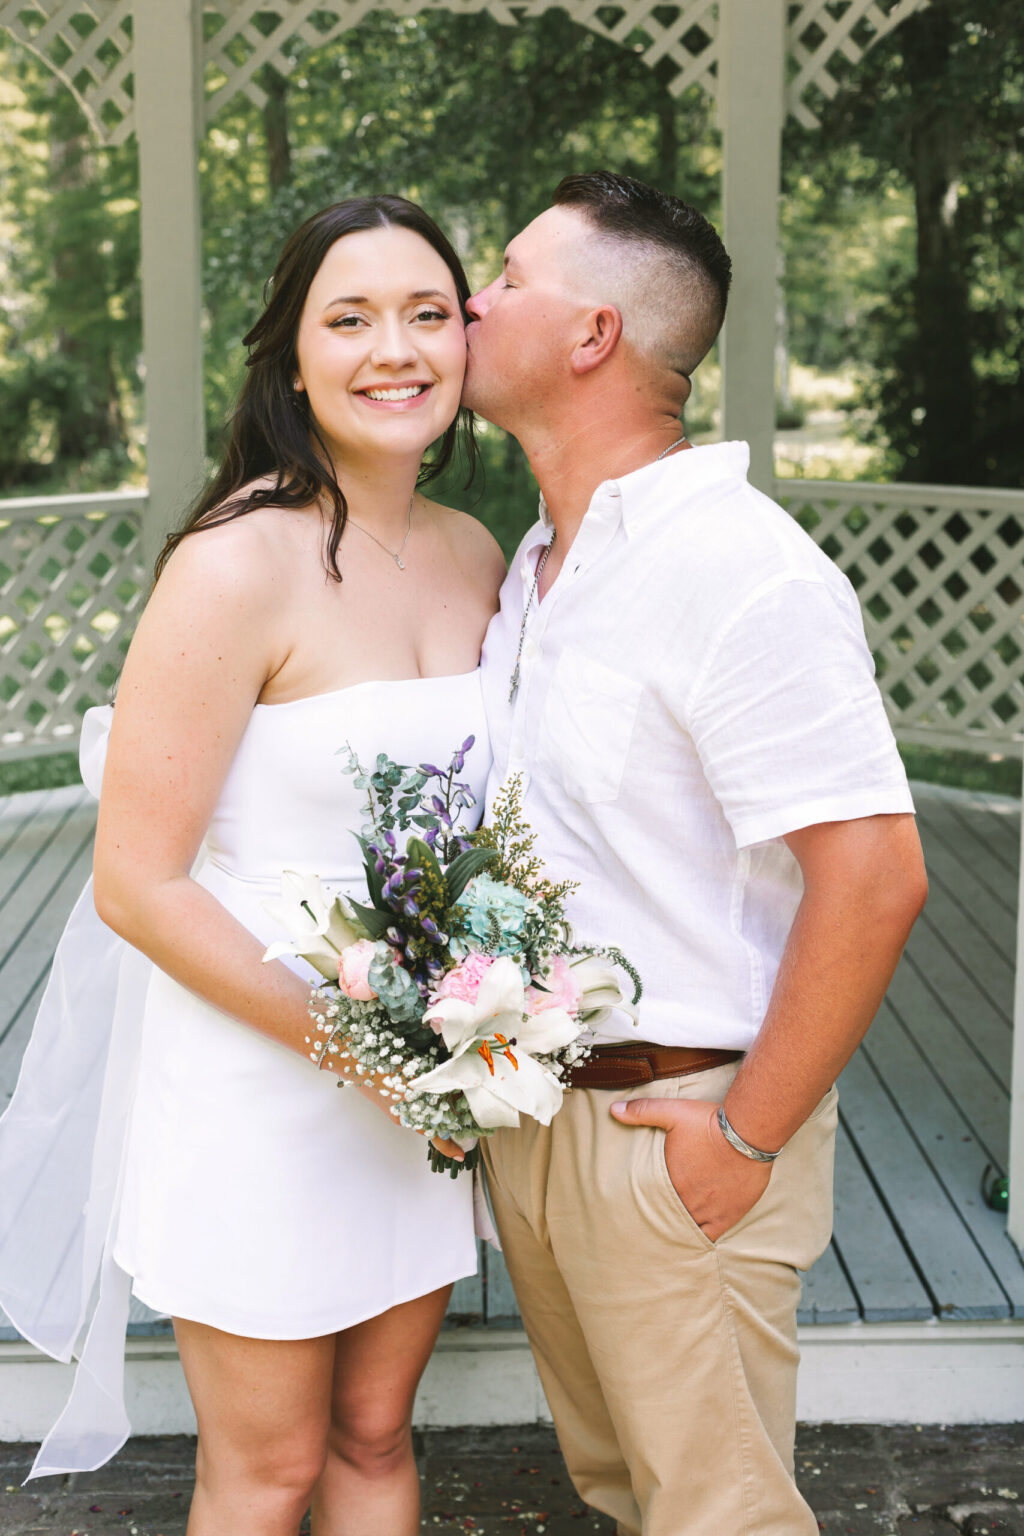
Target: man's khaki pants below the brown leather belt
<point x="670" y="1363"/>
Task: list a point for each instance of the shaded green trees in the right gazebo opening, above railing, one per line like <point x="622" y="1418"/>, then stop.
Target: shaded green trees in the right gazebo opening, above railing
<point x="933" y="130"/>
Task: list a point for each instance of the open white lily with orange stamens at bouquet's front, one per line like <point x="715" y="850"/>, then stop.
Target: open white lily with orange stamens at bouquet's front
<point x="494" y="1044"/>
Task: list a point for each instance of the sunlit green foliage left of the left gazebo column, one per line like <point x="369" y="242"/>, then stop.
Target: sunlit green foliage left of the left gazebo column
<point x="70" y="328"/>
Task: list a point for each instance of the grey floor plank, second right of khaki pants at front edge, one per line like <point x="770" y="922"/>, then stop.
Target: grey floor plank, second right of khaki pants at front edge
<point x="874" y="1256"/>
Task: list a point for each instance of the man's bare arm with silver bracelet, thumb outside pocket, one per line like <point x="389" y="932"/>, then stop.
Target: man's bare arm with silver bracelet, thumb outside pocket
<point x="864" y="889"/>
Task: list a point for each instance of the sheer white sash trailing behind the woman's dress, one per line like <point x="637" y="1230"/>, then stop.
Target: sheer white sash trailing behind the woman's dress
<point x="62" y="1145"/>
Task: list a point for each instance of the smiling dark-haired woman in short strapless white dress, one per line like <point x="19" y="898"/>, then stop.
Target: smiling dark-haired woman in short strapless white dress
<point x="314" y="601"/>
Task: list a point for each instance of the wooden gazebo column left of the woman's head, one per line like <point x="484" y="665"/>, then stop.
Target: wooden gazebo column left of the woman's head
<point x="168" y="64"/>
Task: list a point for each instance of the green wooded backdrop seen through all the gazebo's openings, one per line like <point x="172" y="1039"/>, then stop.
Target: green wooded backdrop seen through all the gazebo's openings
<point x="903" y="222"/>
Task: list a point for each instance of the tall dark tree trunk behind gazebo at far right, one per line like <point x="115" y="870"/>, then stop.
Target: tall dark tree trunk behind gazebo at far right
<point x="940" y="294"/>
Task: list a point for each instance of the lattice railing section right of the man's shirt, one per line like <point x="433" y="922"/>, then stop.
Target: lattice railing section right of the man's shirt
<point x="940" y="577"/>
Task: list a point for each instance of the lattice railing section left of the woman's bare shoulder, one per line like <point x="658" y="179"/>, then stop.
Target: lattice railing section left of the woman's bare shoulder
<point x="71" y="586"/>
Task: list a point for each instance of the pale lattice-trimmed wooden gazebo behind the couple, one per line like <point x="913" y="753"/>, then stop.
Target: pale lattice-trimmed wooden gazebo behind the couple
<point x="939" y="572"/>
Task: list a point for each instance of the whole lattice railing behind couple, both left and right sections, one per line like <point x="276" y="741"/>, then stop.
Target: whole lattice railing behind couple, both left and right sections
<point x="940" y="575"/>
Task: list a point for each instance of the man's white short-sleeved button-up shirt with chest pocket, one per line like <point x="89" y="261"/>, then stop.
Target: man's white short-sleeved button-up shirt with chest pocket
<point x="695" y="686"/>
